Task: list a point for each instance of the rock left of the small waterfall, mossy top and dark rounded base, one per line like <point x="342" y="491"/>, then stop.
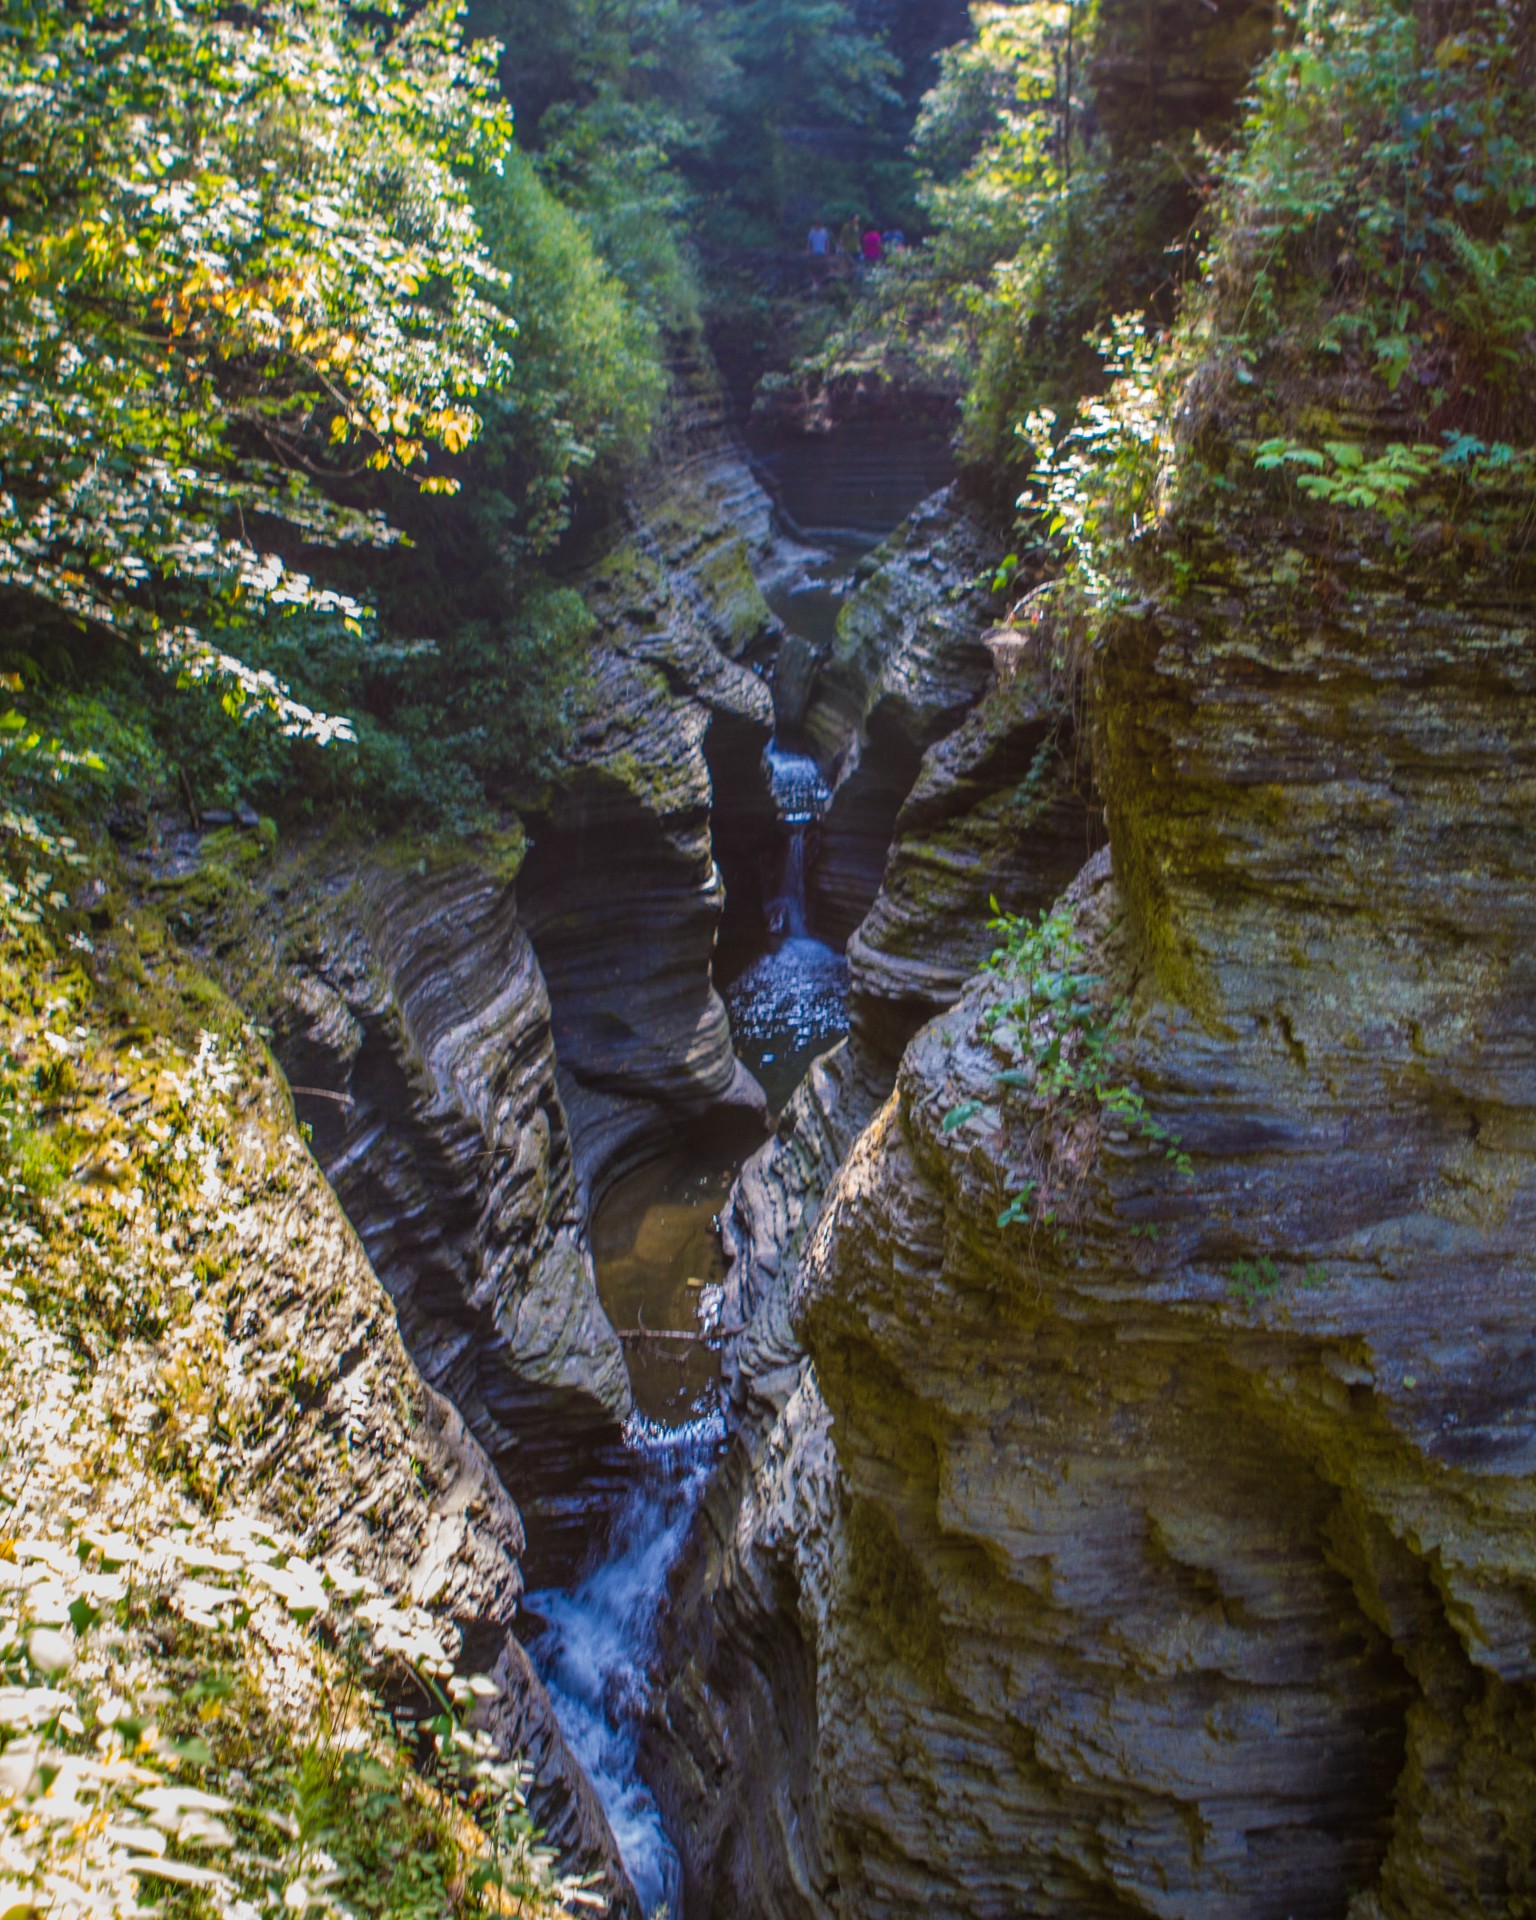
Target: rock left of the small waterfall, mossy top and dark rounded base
<point x="623" y="892"/>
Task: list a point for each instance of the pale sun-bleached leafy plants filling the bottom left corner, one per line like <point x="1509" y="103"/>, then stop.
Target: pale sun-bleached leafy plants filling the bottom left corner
<point x="201" y="1788"/>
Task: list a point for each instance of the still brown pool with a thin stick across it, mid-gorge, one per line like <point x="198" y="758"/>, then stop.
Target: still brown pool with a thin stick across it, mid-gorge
<point x="660" y="1268"/>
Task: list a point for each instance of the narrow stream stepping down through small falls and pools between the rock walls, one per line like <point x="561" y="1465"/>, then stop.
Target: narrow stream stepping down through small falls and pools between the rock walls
<point x="660" y="1274"/>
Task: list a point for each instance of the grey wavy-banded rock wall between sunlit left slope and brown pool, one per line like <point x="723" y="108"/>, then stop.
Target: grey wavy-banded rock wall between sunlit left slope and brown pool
<point x="412" y="1019"/>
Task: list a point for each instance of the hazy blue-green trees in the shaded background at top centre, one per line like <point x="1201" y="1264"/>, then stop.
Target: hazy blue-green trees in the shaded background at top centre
<point x="731" y="120"/>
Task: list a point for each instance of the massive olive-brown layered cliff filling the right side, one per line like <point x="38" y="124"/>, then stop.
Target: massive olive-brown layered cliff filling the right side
<point x="1170" y="1548"/>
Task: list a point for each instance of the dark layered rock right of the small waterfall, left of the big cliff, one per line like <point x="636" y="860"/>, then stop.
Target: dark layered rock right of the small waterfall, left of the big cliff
<point x="999" y="819"/>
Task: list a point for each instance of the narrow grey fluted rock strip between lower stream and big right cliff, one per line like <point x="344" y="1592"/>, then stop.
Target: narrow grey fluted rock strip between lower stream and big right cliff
<point x="734" y="1644"/>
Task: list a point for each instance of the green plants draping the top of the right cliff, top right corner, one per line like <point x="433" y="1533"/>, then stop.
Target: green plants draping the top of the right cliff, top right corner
<point x="1391" y="164"/>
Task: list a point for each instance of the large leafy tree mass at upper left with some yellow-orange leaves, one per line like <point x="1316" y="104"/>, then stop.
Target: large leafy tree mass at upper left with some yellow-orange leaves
<point x="274" y="270"/>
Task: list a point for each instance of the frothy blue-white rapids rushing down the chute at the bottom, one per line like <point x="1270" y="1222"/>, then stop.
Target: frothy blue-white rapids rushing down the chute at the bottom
<point x="596" y="1650"/>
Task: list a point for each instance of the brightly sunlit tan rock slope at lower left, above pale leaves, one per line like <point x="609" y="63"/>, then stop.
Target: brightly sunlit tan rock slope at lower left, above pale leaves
<point x="370" y="1460"/>
